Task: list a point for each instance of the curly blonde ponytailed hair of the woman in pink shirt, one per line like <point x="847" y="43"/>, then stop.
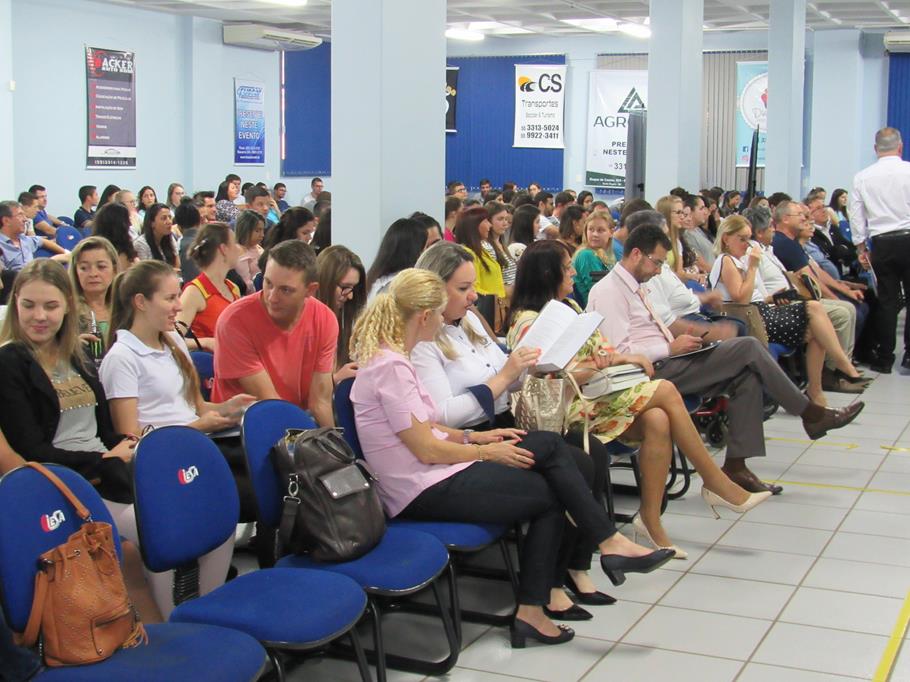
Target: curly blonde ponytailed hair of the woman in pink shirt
<point x="412" y="291"/>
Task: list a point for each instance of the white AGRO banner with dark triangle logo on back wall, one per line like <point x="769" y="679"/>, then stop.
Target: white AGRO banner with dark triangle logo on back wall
<point x="612" y="97"/>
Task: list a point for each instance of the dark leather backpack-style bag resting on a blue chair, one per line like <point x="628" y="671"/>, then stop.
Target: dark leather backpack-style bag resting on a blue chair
<point x="331" y="510"/>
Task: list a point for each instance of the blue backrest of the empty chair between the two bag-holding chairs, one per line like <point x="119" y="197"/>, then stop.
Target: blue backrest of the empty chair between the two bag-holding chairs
<point x="185" y="496"/>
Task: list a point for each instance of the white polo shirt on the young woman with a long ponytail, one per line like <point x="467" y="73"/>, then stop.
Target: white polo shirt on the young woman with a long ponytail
<point x="133" y="370"/>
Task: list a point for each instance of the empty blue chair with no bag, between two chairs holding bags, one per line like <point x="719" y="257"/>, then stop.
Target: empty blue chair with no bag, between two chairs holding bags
<point x="186" y="506"/>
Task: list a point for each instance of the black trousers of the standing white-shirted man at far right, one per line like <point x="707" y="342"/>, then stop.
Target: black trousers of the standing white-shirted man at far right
<point x="891" y="262"/>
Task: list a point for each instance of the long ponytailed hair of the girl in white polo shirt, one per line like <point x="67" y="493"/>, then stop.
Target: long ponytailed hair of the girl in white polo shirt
<point x="145" y="278"/>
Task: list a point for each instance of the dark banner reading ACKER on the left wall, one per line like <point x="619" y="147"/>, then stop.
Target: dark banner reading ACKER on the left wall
<point x="111" y="108"/>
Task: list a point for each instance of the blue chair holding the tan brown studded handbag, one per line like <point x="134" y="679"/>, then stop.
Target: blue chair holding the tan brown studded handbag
<point x="175" y="651"/>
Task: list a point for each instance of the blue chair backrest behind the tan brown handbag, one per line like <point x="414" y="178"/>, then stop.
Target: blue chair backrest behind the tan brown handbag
<point x="34" y="518"/>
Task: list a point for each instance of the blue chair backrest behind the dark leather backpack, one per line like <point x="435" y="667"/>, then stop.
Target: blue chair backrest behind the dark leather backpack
<point x="264" y="424"/>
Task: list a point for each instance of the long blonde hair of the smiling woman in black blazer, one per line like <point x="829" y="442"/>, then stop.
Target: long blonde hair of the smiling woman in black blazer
<point x="67" y="337"/>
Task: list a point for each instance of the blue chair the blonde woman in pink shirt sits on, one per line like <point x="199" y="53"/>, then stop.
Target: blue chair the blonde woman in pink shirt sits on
<point x="459" y="538"/>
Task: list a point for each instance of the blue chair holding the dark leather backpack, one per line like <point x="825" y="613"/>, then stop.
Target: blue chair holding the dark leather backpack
<point x="404" y="562"/>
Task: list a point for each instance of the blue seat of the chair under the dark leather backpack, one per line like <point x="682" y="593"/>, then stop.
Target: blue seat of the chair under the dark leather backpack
<point x="404" y="562"/>
